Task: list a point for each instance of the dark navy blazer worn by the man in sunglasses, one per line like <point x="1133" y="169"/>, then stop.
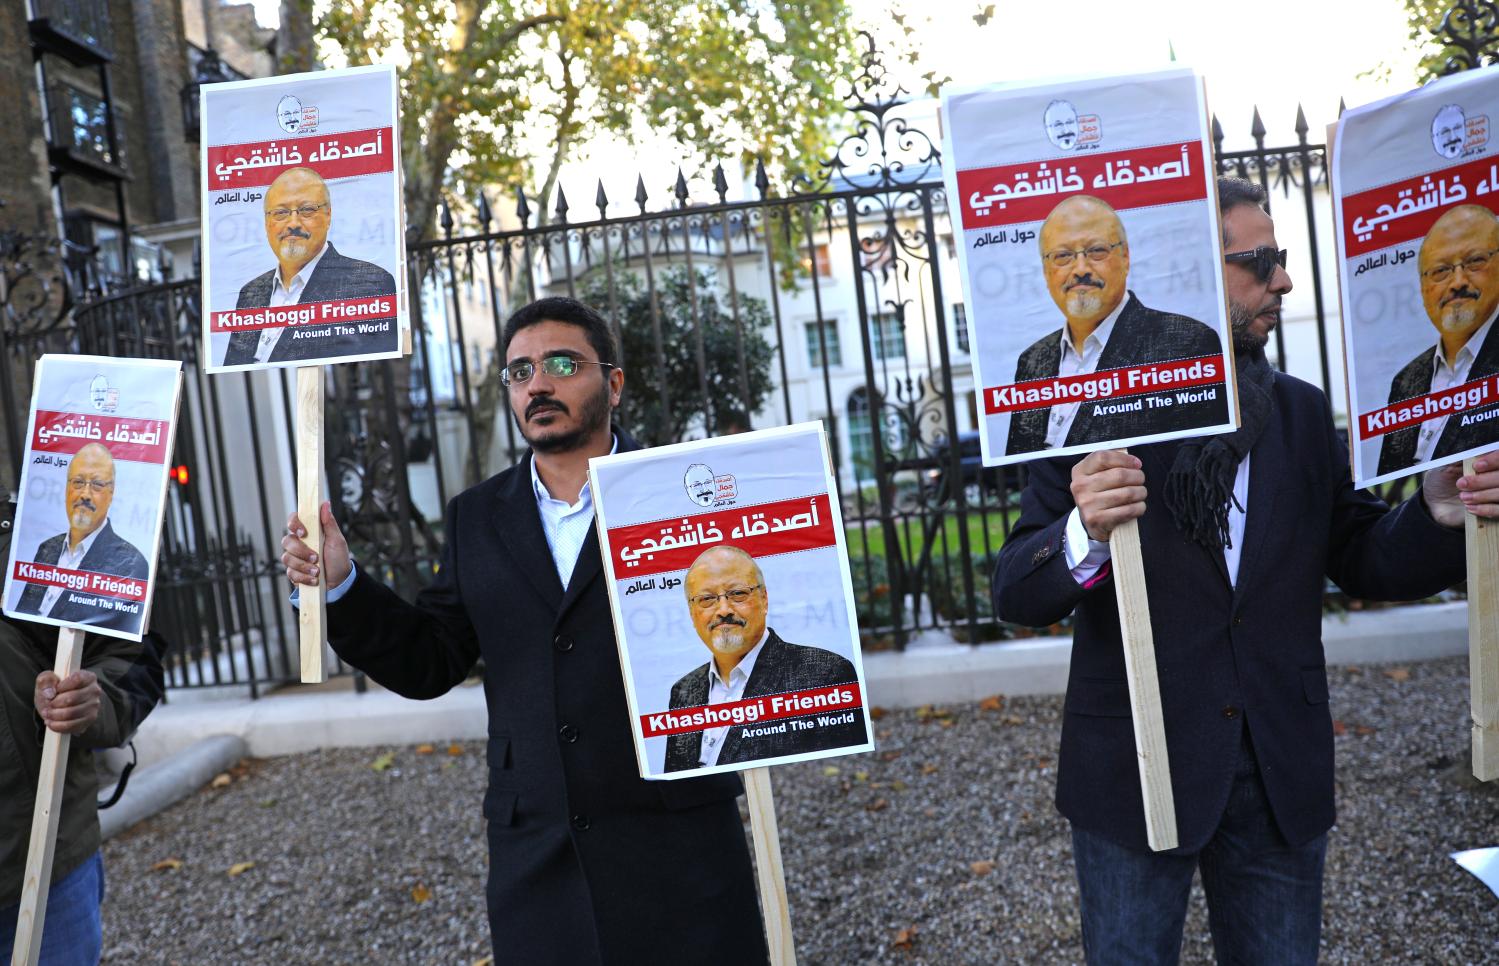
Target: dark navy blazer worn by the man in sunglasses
<point x="1228" y="658"/>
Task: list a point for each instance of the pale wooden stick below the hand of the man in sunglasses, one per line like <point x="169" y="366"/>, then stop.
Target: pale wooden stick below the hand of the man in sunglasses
<point x="1144" y="688"/>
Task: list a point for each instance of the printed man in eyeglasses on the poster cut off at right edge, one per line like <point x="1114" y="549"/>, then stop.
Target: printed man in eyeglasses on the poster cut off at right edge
<point x="1461" y="293"/>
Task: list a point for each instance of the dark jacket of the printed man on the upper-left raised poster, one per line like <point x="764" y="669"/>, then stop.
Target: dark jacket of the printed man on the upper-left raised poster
<point x="337" y="277"/>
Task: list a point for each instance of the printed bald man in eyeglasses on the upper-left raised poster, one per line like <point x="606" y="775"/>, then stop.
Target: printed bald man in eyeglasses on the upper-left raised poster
<point x="299" y="214"/>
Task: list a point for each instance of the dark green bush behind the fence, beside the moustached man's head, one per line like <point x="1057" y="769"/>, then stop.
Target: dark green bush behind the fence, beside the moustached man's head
<point x="651" y="418"/>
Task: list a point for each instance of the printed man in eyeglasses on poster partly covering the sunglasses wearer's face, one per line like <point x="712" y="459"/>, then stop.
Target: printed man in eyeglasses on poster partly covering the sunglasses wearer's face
<point x="1085" y="256"/>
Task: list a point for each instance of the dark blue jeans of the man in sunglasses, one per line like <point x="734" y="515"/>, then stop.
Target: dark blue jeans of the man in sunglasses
<point x="1264" y="896"/>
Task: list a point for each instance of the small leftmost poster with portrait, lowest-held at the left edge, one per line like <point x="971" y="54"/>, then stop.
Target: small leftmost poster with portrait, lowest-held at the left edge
<point x="94" y="487"/>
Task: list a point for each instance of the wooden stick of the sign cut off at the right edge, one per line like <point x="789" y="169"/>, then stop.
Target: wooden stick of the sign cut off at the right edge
<point x="1483" y="638"/>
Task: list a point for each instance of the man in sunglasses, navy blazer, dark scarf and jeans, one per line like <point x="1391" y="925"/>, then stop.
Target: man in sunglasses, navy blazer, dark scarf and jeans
<point x="1240" y="535"/>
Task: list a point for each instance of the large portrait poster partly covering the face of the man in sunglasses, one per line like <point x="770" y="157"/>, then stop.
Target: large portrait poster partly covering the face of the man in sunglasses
<point x="1088" y="235"/>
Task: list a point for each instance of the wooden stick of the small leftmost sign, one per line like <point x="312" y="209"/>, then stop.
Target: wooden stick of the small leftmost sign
<point x="44" y="820"/>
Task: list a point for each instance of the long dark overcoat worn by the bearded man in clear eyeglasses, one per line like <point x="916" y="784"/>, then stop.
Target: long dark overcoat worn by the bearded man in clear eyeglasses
<point x="588" y="862"/>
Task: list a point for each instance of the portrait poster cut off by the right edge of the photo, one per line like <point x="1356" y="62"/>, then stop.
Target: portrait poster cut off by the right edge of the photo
<point x="1416" y="188"/>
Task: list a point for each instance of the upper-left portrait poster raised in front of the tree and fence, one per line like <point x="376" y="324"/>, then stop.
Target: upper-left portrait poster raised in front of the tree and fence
<point x="302" y="214"/>
